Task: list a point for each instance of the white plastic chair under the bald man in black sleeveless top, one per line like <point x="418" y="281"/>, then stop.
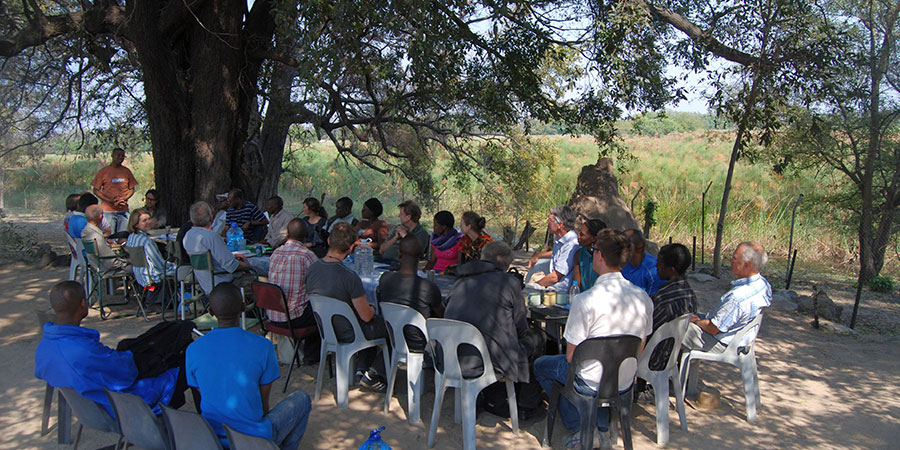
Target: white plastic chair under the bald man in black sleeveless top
<point x="398" y="317"/>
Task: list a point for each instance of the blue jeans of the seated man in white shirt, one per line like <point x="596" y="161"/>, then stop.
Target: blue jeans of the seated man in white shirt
<point x="548" y="369"/>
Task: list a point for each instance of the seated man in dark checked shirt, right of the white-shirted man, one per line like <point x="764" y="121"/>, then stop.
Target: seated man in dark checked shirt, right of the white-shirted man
<point x="674" y="299"/>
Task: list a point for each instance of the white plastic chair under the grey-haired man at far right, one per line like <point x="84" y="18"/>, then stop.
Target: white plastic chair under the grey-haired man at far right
<point x="742" y="357"/>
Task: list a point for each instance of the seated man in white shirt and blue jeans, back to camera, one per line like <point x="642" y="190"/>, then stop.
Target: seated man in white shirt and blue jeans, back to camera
<point x="613" y="306"/>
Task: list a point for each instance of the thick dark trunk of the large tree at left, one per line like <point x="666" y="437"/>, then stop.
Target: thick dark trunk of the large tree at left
<point x="200" y="85"/>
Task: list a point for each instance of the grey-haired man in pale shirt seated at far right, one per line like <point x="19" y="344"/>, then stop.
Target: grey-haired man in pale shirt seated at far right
<point x="749" y="294"/>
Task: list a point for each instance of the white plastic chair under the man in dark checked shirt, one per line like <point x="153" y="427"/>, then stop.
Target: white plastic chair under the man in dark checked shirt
<point x="659" y="379"/>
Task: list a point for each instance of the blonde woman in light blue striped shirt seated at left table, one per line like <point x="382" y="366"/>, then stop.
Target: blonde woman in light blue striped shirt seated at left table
<point x="138" y="224"/>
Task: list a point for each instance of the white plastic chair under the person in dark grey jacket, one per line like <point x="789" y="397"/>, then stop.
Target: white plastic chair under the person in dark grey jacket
<point x="450" y="334"/>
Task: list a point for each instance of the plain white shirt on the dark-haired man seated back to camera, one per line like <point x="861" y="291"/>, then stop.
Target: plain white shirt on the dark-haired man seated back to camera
<point x="612" y="306"/>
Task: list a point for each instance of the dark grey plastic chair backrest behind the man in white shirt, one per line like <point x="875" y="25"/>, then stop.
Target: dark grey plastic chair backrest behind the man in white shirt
<point x="610" y="352"/>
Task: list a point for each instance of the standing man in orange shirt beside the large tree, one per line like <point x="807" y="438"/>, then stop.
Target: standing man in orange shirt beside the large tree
<point x="114" y="185"/>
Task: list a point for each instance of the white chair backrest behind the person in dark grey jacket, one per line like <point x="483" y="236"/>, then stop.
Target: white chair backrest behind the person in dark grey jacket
<point x="450" y="334"/>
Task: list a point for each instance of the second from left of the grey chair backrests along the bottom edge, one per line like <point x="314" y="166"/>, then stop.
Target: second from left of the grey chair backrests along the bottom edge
<point x="136" y="421"/>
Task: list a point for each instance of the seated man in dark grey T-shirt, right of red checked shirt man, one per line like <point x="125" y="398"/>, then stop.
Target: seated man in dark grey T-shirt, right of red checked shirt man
<point x="330" y="278"/>
